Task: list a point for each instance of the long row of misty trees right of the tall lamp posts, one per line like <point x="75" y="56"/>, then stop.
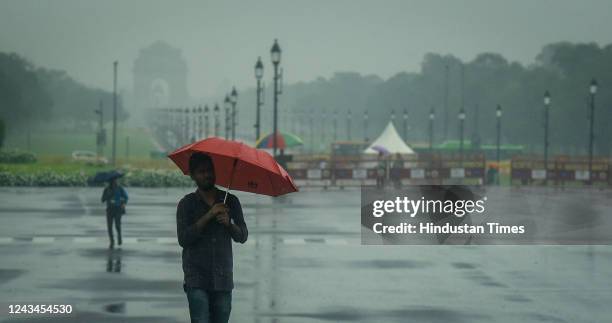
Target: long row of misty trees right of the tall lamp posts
<point x="565" y="69"/>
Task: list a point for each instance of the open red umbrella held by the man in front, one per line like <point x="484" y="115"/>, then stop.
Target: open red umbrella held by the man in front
<point x="238" y="166"/>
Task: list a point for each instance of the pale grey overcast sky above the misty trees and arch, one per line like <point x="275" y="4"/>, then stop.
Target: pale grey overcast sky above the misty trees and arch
<point x="221" y="40"/>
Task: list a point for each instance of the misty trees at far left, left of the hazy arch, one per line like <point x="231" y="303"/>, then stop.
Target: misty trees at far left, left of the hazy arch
<point x="32" y="96"/>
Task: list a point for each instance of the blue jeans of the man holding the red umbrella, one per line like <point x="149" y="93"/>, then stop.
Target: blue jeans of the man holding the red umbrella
<point x="208" y="306"/>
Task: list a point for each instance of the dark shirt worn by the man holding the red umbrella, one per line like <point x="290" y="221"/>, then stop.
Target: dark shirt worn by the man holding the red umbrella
<point x="207" y="255"/>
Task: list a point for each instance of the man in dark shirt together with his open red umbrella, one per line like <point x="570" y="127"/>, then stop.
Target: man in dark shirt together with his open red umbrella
<point x="209" y="219"/>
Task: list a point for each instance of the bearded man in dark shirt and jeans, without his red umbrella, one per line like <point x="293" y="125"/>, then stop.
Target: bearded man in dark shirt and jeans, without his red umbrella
<point x="206" y="226"/>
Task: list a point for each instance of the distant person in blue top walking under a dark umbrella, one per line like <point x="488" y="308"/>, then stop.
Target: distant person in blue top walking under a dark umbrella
<point x="116" y="198"/>
